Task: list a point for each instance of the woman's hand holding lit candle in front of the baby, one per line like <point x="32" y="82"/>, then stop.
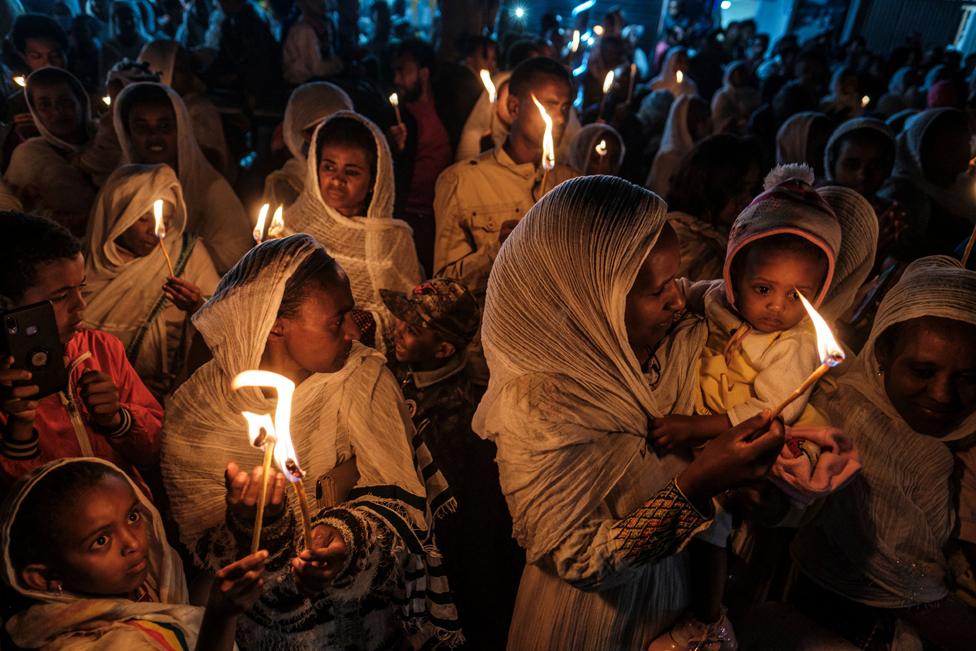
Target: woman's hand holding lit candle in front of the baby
<point x="740" y="456"/>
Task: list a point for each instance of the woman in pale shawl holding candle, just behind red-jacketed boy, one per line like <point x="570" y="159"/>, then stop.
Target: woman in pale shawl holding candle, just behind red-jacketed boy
<point x="130" y="293"/>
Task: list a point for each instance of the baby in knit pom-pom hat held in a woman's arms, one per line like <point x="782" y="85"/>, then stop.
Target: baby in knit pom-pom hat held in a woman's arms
<point x="760" y="347"/>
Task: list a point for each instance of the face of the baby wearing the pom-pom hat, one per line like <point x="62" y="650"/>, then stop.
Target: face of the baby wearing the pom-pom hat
<point x="765" y="290"/>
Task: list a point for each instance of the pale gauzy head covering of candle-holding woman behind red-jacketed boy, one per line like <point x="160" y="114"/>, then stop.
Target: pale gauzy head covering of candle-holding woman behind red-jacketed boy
<point x="122" y="290"/>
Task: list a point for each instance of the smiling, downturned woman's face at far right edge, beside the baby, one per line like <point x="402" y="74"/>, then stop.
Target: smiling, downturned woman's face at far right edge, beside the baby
<point x="930" y="373"/>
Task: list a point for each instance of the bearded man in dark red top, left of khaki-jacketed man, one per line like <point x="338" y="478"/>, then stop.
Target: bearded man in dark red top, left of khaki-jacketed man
<point x="423" y="144"/>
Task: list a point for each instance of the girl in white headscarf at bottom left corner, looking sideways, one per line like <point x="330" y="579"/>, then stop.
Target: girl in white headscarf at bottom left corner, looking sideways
<point x="86" y="557"/>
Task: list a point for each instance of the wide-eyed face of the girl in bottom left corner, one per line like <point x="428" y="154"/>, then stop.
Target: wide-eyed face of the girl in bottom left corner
<point x="103" y="541"/>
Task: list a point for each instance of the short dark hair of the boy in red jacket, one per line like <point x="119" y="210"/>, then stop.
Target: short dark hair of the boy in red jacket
<point x="27" y="243"/>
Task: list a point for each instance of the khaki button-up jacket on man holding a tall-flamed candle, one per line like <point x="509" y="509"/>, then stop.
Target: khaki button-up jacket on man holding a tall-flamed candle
<point x="472" y="200"/>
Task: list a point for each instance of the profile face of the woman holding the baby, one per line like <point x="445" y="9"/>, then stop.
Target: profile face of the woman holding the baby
<point x="654" y="299"/>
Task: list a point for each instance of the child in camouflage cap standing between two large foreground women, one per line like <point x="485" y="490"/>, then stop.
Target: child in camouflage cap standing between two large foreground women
<point x="435" y="324"/>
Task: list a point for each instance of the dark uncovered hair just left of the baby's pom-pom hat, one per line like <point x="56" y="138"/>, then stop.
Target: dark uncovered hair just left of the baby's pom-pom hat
<point x="710" y="173"/>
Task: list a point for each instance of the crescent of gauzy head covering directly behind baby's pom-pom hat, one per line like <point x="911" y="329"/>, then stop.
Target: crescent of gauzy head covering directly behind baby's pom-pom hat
<point x="858" y="246"/>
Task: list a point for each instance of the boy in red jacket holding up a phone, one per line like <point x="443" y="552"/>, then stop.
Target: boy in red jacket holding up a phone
<point x="104" y="410"/>
